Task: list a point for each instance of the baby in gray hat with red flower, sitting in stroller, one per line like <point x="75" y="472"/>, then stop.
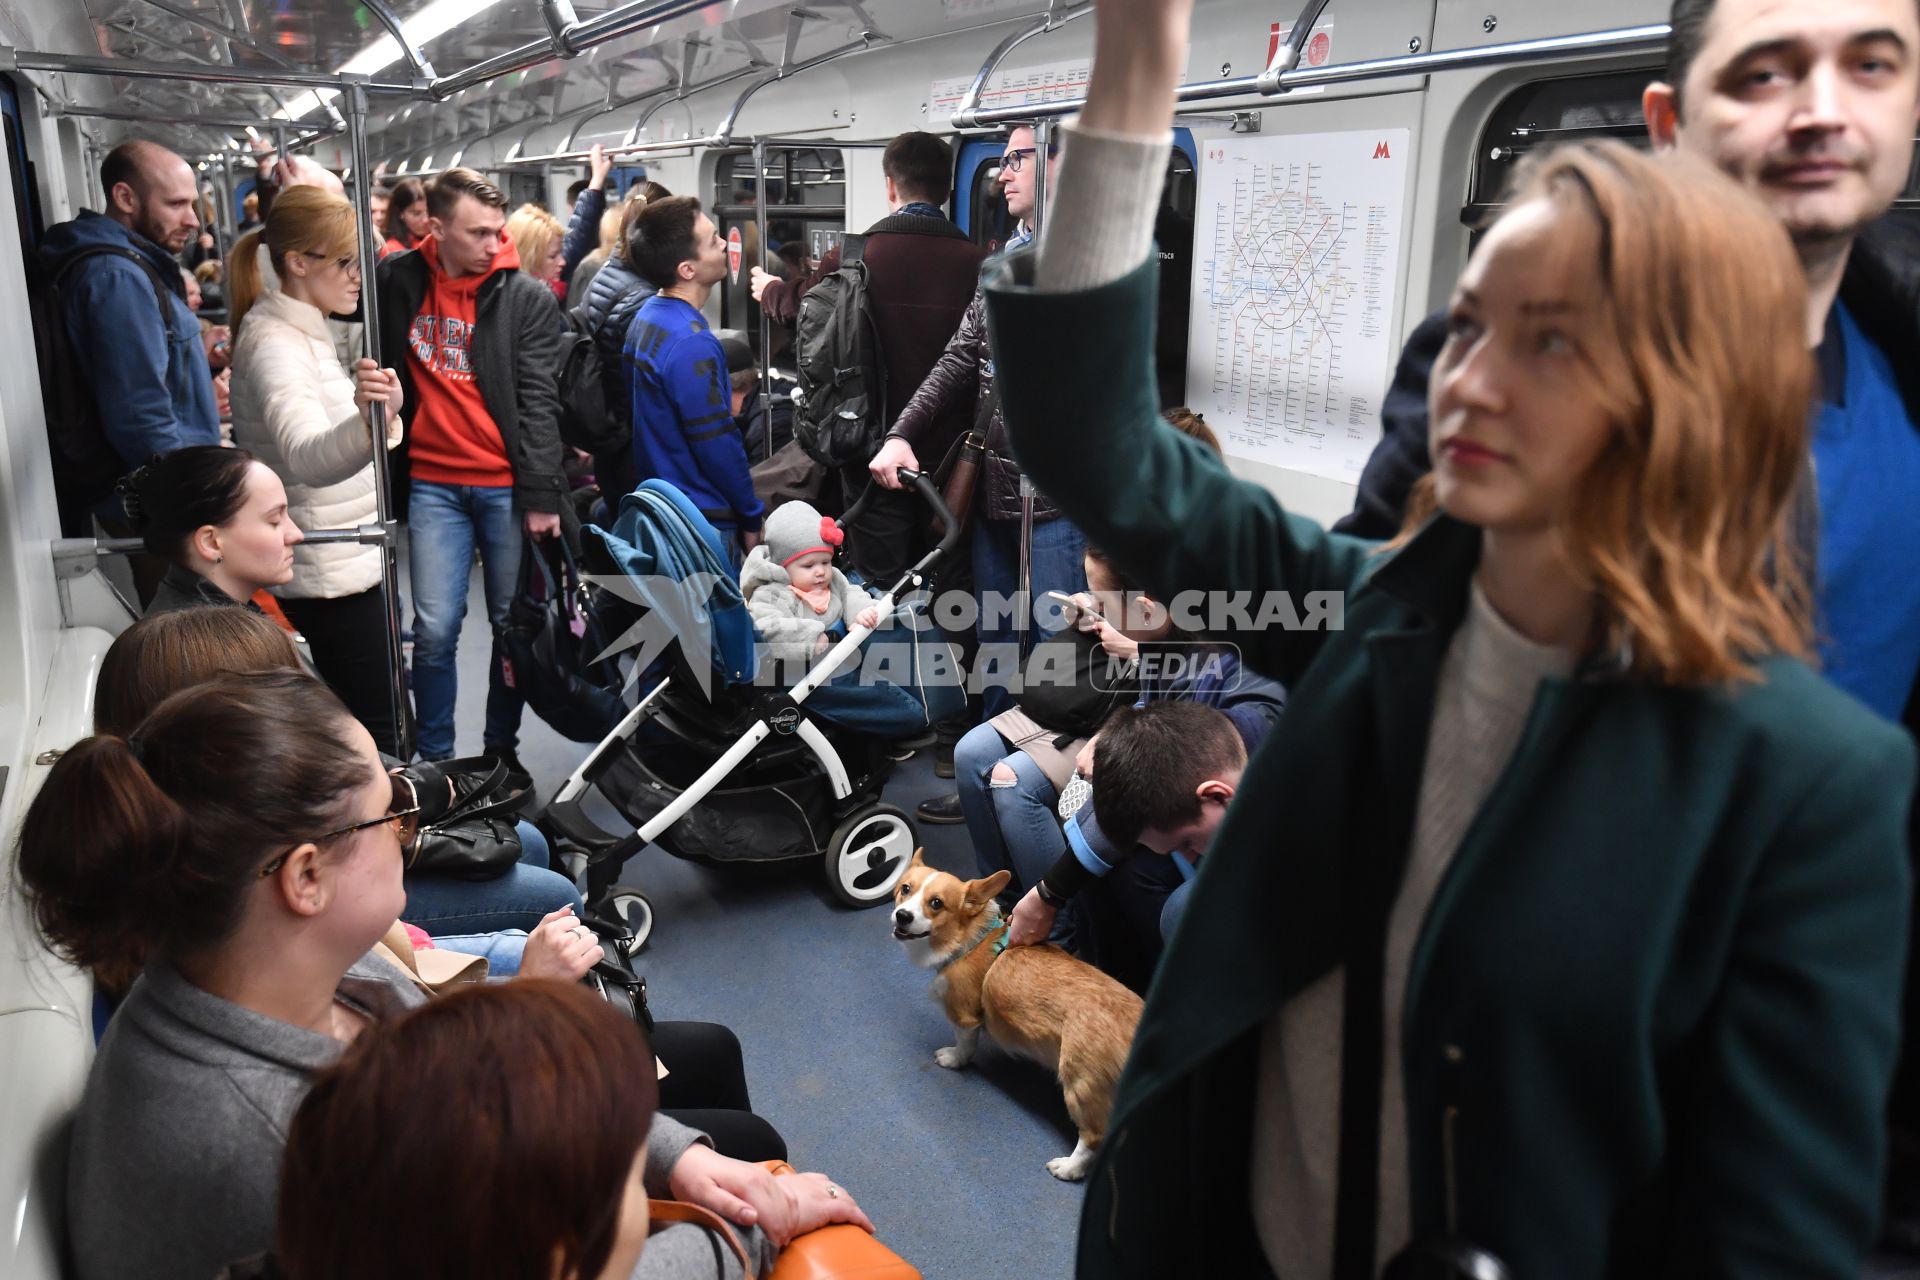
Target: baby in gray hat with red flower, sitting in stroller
<point x="792" y="588"/>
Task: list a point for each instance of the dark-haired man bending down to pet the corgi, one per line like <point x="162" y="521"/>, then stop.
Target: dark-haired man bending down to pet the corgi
<point x="1163" y="778"/>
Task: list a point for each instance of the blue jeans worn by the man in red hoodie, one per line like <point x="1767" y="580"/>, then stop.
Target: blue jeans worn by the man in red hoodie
<point x="446" y="525"/>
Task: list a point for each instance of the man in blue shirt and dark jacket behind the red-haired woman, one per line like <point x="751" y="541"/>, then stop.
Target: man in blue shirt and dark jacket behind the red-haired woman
<point x="1744" y="89"/>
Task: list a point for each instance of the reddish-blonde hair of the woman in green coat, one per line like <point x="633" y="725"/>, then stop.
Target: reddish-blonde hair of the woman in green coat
<point x="1683" y="523"/>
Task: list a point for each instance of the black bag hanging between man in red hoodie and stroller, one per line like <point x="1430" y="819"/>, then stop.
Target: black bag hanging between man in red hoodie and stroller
<point x="552" y="650"/>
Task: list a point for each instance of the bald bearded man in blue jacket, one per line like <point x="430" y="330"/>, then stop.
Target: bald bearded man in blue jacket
<point x="126" y="308"/>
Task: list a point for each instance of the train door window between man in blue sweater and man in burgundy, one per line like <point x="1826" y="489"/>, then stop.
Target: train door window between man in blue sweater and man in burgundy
<point x="807" y="214"/>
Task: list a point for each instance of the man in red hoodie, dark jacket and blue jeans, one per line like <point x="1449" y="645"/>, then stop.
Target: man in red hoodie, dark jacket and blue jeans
<point x="483" y="356"/>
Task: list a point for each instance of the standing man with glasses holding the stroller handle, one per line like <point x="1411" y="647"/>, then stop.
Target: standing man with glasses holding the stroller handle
<point x="963" y="377"/>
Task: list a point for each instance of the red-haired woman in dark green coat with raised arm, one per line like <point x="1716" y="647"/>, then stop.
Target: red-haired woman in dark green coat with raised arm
<point x="1566" y="909"/>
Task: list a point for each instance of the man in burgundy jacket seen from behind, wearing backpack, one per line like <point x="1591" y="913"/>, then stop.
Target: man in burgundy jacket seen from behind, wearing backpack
<point x="921" y="279"/>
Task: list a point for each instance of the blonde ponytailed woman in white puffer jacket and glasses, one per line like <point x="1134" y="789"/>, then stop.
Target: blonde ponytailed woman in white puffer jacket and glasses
<point x="304" y="415"/>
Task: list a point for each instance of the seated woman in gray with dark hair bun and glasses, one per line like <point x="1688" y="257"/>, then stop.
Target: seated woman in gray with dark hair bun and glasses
<point x="249" y="841"/>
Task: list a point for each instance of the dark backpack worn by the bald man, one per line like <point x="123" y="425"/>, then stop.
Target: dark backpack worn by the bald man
<point x="85" y="462"/>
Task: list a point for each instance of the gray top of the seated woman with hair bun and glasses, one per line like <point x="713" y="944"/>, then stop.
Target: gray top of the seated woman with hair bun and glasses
<point x="176" y="1158"/>
